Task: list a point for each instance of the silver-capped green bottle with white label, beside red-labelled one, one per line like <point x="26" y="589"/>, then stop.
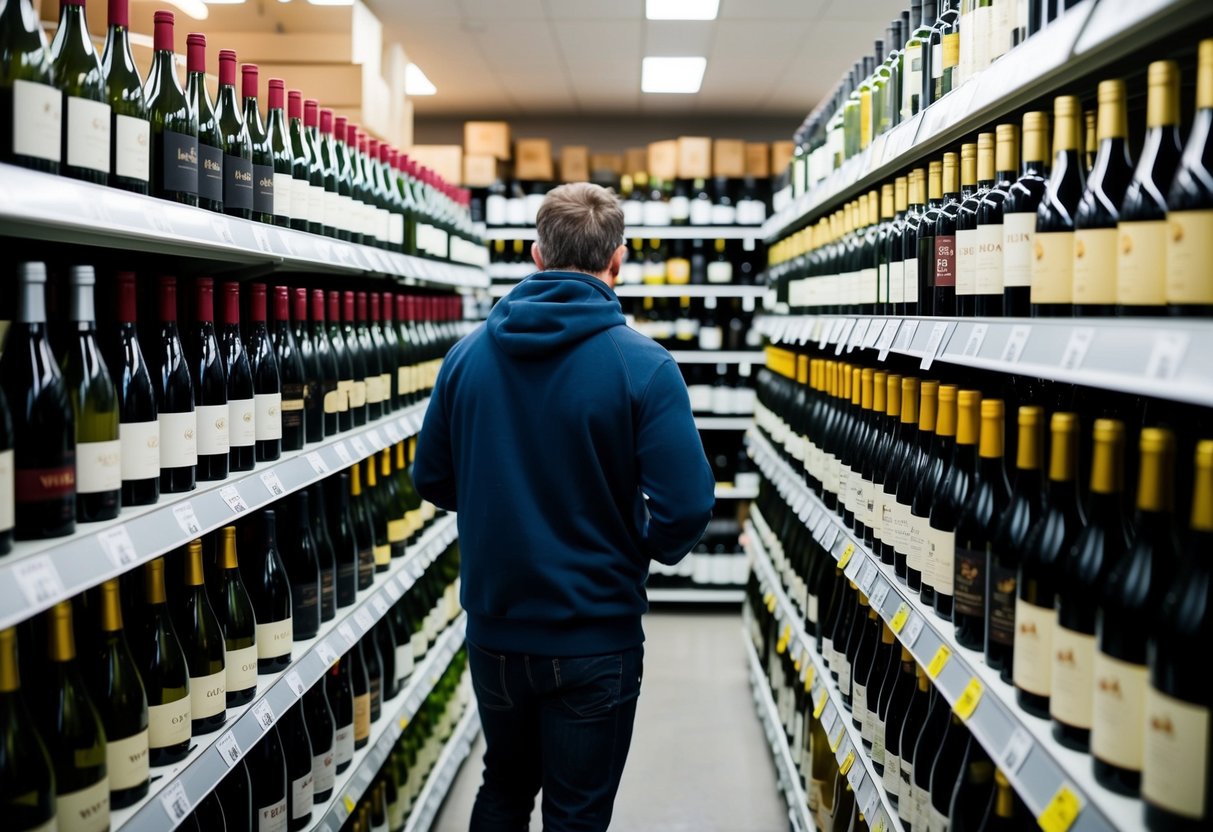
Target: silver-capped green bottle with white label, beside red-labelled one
<point x="95" y="411"/>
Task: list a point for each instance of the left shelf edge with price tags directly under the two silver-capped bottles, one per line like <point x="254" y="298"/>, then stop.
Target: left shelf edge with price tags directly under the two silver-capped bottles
<point x="39" y="574"/>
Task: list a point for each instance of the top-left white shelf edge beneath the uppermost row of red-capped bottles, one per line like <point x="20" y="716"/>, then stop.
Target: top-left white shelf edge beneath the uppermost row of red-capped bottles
<point x="62" y="210"/>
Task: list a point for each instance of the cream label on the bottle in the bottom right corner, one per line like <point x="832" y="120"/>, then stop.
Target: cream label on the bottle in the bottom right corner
<point x="1177" y="755"/>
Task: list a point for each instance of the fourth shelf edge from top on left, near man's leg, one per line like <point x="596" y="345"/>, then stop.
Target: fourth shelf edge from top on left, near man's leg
<point x="354" y="783"/>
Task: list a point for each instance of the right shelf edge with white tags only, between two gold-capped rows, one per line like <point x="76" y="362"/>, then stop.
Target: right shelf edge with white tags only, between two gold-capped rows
<point x="1166" y="358"/>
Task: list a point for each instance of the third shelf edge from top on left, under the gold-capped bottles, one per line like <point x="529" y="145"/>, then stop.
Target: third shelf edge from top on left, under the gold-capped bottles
<point x="176" y="790"/>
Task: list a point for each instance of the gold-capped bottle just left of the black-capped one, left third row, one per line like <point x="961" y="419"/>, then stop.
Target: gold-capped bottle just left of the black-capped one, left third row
<point x="234" y="608"/>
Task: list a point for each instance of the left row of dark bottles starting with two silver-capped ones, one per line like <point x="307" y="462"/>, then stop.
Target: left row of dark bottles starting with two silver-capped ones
<point x="118" y="428"/>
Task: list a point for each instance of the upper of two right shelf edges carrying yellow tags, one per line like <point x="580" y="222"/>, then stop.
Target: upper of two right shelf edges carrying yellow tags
<point x="1023" y="746"/>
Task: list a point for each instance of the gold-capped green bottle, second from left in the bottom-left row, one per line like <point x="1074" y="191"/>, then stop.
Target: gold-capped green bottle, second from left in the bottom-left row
<point x="78" y="755"/>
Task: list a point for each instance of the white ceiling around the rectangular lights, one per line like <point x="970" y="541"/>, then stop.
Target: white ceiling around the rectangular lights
<point x="514" y="59"/>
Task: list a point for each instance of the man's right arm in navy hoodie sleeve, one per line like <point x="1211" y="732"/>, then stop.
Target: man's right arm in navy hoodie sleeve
<point x="674" y="470"/>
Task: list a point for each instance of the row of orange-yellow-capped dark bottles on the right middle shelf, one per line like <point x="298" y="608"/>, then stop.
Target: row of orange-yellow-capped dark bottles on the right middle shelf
<point x="1090" y="612"/>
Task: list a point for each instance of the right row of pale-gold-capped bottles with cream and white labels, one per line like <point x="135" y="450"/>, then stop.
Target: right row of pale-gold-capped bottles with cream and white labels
<point x="1084" y="235"/>
